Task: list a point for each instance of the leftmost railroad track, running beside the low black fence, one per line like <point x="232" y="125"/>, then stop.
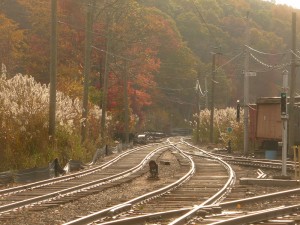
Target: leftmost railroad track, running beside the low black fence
<point x="53" y="192"/>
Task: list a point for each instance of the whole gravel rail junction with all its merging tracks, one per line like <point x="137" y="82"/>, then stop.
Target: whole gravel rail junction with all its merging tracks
<point x="192" y="186"/>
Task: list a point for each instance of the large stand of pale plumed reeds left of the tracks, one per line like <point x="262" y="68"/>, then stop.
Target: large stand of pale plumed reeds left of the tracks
<point x="24" y="115"/>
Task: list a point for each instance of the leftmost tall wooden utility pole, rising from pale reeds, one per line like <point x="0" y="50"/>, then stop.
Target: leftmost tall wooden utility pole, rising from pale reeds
<point x="53" y="69"/>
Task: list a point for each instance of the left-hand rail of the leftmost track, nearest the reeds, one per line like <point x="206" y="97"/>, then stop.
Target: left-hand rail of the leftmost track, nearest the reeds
<point x="67" y="177"/>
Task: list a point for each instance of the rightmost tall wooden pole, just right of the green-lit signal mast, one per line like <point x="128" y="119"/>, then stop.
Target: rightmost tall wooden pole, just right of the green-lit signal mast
<point x="292" y="81"/>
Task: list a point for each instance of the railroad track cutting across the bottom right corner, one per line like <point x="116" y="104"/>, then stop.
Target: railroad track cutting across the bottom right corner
<point x="271" y="209"/>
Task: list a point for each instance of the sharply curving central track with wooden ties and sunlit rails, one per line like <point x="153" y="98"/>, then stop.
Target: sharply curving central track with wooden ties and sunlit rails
<point x="211" y="180"/>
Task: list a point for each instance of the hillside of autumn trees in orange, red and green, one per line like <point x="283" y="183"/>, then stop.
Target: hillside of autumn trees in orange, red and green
<point x="162" y="46"/>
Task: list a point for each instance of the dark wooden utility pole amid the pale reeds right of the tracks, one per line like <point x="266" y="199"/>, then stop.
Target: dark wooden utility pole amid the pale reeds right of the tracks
<point x="212" y="102"/>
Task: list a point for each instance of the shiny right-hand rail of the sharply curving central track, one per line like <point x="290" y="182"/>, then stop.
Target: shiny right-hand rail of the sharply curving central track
<point x="215" y="198"/>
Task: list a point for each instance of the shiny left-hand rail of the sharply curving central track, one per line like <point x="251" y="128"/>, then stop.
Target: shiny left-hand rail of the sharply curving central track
<point x="127" y="205"/>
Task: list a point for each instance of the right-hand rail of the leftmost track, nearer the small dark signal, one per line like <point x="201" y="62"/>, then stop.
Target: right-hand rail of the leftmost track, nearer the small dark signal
<point x="79" y="188"/>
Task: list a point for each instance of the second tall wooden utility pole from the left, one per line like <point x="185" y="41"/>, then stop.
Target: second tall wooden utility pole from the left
<point x="87" y="69"/>
